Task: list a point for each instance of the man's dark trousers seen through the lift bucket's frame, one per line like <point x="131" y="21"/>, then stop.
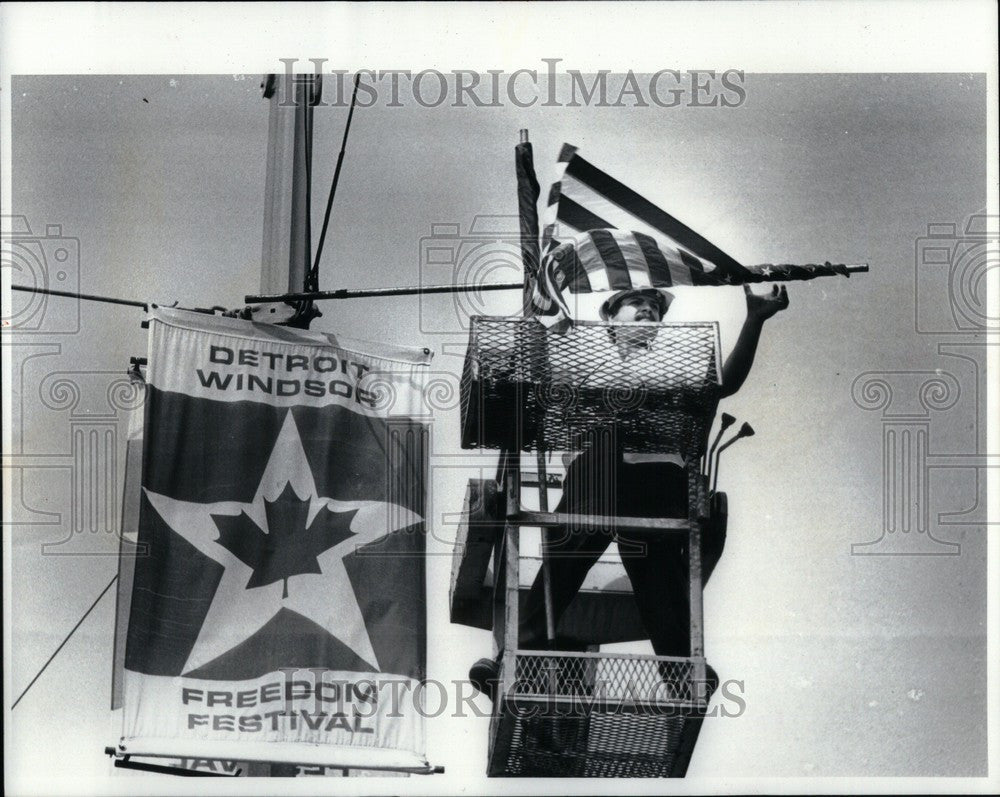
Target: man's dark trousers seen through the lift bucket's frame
<point x="599" y="483"/>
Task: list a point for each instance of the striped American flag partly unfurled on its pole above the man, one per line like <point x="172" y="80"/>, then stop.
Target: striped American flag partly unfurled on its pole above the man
<point x="603" y="236"/>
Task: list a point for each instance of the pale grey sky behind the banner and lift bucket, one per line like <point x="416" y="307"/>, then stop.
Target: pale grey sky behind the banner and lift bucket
<point x="853" y="664"/>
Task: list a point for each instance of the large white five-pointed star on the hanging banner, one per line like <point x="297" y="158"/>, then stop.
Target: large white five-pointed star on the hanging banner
<point x="283" y="550"/>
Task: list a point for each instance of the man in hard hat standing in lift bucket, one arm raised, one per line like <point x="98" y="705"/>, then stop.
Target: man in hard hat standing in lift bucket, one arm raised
<point x="644" y="486"/>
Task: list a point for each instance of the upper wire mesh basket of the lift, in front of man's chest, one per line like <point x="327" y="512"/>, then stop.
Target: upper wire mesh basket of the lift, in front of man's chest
<point x="656" y="385"/>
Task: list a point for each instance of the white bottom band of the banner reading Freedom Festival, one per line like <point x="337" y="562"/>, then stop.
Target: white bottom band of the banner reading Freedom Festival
<point x="343" y="719"/>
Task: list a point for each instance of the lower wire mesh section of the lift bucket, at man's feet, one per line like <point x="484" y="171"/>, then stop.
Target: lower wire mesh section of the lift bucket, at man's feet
<point x="597" y="715"/>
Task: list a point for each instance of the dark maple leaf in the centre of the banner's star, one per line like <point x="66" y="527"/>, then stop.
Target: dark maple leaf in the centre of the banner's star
<point x="288" y="548"/>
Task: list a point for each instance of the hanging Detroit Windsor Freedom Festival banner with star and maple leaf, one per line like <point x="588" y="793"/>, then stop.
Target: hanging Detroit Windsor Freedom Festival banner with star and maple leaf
<point x="279" y="611"/>
